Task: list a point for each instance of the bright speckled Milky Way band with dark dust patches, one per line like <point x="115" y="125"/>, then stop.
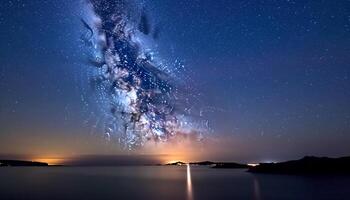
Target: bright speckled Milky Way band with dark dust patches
<point x="145" y="102"/>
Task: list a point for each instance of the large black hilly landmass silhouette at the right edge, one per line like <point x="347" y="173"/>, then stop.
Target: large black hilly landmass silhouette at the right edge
<point x="306" y="165"/>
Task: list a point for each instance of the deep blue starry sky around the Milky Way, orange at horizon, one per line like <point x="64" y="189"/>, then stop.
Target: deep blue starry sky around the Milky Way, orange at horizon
<point x="271" y="79"/>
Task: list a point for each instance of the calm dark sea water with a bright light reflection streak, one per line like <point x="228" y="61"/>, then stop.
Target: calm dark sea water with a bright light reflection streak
<point x="164" y="183"/>
